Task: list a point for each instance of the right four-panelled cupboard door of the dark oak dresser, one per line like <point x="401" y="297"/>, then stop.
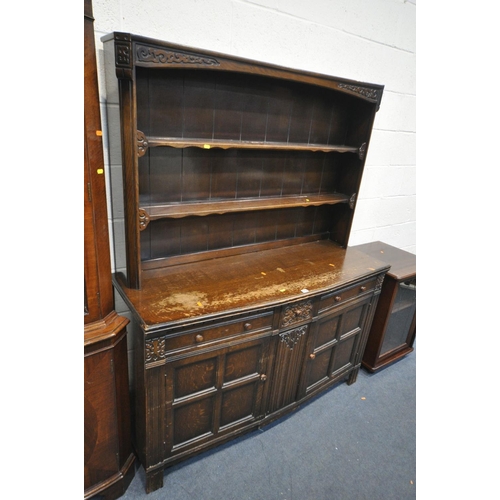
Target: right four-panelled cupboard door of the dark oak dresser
<point x="333" y="346"/>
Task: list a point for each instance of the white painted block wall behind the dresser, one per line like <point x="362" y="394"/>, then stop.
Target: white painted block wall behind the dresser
<point x="367" y="40"/>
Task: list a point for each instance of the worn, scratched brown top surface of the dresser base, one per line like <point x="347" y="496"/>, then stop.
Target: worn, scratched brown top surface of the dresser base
<point x="229" y="285"/>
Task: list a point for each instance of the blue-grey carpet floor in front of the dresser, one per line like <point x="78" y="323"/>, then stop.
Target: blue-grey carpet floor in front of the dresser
<point x="351" y="443"/>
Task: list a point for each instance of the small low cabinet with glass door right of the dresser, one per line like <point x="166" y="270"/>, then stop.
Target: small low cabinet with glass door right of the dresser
<point x="394" y="325"/>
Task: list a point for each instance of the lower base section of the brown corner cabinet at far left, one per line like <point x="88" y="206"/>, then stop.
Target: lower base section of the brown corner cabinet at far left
<point x="108" y="458"/>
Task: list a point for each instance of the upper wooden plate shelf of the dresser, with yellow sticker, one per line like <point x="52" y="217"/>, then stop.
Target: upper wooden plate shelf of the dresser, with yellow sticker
<point x="236" y="144"/>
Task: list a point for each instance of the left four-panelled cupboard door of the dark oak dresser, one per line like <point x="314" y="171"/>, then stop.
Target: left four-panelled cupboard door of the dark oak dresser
<point x="213" y="393"/>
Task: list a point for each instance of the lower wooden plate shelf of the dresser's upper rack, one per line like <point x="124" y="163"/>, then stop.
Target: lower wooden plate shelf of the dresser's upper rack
<point x="202" y="208"/>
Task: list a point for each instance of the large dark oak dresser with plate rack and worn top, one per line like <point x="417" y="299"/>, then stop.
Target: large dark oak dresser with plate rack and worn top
<point x="240" y="182"/>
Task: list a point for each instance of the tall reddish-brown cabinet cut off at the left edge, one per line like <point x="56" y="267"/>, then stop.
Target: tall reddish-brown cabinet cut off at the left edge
<point x="108" y="456"/>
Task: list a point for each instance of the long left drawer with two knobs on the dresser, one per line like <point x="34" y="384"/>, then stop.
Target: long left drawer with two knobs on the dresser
<point x="230" y="329"/>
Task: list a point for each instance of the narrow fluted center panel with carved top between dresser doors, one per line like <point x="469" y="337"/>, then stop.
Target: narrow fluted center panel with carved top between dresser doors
<point x="288" y="361"/>
